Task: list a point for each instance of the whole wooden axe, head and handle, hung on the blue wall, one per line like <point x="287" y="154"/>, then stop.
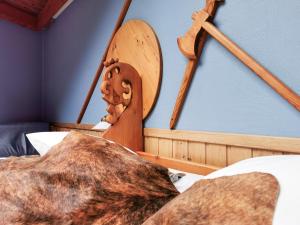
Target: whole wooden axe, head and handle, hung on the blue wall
<point x="188" y="42"/>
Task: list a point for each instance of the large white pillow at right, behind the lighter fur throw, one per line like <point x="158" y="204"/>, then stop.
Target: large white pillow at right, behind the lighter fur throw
<point x="286" y="169"/>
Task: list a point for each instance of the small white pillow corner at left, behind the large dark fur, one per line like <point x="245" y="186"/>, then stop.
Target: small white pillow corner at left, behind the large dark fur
<point x="43" y="141"/>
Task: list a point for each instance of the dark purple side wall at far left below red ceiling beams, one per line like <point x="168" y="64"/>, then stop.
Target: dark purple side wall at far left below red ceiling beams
<point x="20" y="74"/>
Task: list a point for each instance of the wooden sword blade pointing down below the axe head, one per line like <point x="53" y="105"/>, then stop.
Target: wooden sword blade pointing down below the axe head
<point x="186" y="81"/>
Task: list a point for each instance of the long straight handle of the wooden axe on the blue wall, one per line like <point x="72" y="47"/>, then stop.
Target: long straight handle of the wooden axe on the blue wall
<point x="287" y="93"/>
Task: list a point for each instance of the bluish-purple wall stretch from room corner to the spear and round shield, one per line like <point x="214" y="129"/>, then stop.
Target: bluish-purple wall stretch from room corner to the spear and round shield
<point x="73" y="48"/>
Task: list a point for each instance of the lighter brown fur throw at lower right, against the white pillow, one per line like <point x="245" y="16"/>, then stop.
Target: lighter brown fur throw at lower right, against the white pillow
<point x="246" y="199"/>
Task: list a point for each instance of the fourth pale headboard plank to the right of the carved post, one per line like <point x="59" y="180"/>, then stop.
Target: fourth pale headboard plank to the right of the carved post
<point x="196" y="152"/>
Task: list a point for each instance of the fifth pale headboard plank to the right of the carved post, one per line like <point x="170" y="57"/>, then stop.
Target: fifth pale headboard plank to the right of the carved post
<point x="216" y="155"/>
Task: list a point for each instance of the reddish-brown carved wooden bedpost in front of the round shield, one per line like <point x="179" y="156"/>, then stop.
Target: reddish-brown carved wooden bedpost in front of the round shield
<point x="122" y="90"/>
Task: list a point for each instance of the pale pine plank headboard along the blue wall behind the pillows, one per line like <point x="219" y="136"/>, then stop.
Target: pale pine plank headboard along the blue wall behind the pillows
<point x="200" y="152"/>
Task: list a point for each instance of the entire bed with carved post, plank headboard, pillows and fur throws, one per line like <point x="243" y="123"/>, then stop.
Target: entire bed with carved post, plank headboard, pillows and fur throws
<point x="129" y="175"/>
